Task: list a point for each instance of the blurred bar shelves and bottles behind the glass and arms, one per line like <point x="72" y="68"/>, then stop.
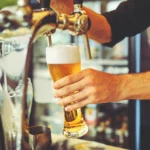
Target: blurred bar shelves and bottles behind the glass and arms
<point x="113" y="123"/>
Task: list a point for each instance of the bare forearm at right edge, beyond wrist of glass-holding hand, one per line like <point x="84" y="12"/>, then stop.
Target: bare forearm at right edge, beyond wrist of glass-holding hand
<point x="135" y="86"/>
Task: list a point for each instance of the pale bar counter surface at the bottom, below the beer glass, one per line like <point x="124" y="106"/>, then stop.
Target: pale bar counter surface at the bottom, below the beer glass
<point x="79" y="144"/>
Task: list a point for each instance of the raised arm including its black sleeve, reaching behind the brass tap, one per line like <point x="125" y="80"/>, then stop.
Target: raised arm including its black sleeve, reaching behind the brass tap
<point x="126" y="20"/>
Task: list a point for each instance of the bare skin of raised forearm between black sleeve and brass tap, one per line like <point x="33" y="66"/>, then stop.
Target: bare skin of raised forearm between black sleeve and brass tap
<point x="100" y="30"/>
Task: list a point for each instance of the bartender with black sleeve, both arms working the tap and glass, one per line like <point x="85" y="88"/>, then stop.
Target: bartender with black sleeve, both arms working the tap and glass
<point x="95" y="87"/>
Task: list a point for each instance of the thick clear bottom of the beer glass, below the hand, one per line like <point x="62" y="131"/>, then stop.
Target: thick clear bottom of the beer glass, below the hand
<point x="75" y="132"/>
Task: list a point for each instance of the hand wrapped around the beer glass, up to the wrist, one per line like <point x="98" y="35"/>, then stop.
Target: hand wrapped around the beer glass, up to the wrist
<point x="92" y="87"/>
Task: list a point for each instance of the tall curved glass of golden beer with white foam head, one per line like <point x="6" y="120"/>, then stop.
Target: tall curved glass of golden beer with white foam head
<point x="63" y="60"/>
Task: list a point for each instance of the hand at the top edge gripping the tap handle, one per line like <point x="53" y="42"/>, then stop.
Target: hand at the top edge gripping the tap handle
<point x="61" y="6"/>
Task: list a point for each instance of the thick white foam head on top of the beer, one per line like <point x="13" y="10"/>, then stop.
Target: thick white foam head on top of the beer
<point x="63" y="54"/>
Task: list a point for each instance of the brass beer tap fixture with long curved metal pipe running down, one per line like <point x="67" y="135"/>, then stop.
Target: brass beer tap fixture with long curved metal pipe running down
<point x="38" y="23"/>
